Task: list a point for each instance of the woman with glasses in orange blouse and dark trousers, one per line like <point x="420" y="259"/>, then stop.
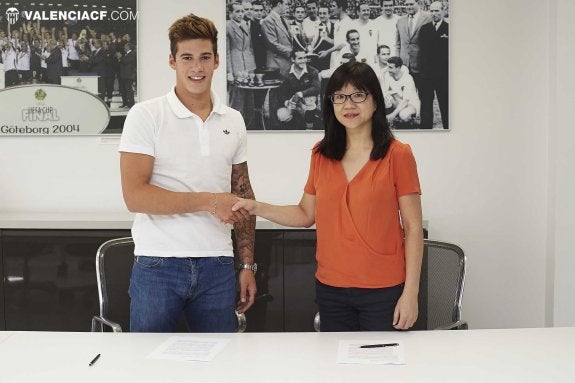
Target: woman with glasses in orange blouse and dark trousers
<point x="363" y="195"/>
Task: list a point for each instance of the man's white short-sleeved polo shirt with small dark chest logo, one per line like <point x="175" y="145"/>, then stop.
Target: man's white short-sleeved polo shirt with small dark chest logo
<point x="190" y="155"/>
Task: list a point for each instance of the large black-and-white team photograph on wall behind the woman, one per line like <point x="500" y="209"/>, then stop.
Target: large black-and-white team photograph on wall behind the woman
<point x="280" y="55"/>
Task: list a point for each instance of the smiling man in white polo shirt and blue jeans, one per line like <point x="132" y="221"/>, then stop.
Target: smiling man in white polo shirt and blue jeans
<point x="183" y="162"/>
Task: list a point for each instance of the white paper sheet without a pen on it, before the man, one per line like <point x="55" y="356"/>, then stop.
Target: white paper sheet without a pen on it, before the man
<point x="189" y="348"/>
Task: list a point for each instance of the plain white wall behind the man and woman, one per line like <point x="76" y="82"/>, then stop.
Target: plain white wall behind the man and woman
<point x="490" y="185"/>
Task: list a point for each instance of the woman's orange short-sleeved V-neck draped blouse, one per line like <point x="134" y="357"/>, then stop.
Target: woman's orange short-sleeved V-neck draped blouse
<point x="360" y="240"/>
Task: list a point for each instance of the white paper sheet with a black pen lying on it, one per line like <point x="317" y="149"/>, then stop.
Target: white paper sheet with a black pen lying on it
<point x="378" y="352"/>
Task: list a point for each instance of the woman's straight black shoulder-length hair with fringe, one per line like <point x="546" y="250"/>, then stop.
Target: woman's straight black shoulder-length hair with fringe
<point x="360" y="75"/>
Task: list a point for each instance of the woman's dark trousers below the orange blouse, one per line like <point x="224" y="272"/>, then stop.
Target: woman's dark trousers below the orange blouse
<point x="356" y="309"/>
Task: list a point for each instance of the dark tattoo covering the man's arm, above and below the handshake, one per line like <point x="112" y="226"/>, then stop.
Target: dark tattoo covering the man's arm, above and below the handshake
<point x="245" y="231"/>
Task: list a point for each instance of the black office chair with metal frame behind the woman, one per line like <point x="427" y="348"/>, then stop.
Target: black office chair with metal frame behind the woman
<point x="440" y="288"/>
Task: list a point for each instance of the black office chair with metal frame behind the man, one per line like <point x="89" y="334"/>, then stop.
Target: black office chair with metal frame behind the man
<point x="114" y="260"/>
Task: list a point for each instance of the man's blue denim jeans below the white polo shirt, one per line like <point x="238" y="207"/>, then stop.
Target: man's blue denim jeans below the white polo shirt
<point x="204" y="289"/>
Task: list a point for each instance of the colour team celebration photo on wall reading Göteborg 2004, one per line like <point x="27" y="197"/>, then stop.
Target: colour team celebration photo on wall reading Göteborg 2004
<point x="86" y="45"/>
